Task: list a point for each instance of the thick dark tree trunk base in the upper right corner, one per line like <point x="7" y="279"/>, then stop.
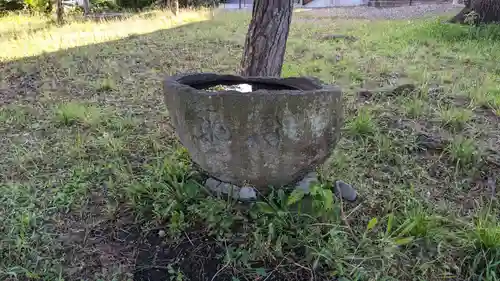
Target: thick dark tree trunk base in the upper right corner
<point x="485" y="11"/>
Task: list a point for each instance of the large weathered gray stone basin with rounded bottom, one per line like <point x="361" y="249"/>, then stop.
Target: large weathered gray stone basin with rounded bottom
<point x="271" y="136"/>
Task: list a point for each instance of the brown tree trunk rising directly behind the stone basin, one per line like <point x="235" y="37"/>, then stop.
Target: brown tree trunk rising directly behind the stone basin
<point x="266" y="38"/>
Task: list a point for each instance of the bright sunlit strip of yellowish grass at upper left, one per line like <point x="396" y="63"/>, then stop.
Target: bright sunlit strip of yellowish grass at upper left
<point x="75" y="34"/>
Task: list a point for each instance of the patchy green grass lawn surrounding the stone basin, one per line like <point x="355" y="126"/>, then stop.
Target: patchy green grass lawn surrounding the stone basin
<point x="95" y="186"/>
